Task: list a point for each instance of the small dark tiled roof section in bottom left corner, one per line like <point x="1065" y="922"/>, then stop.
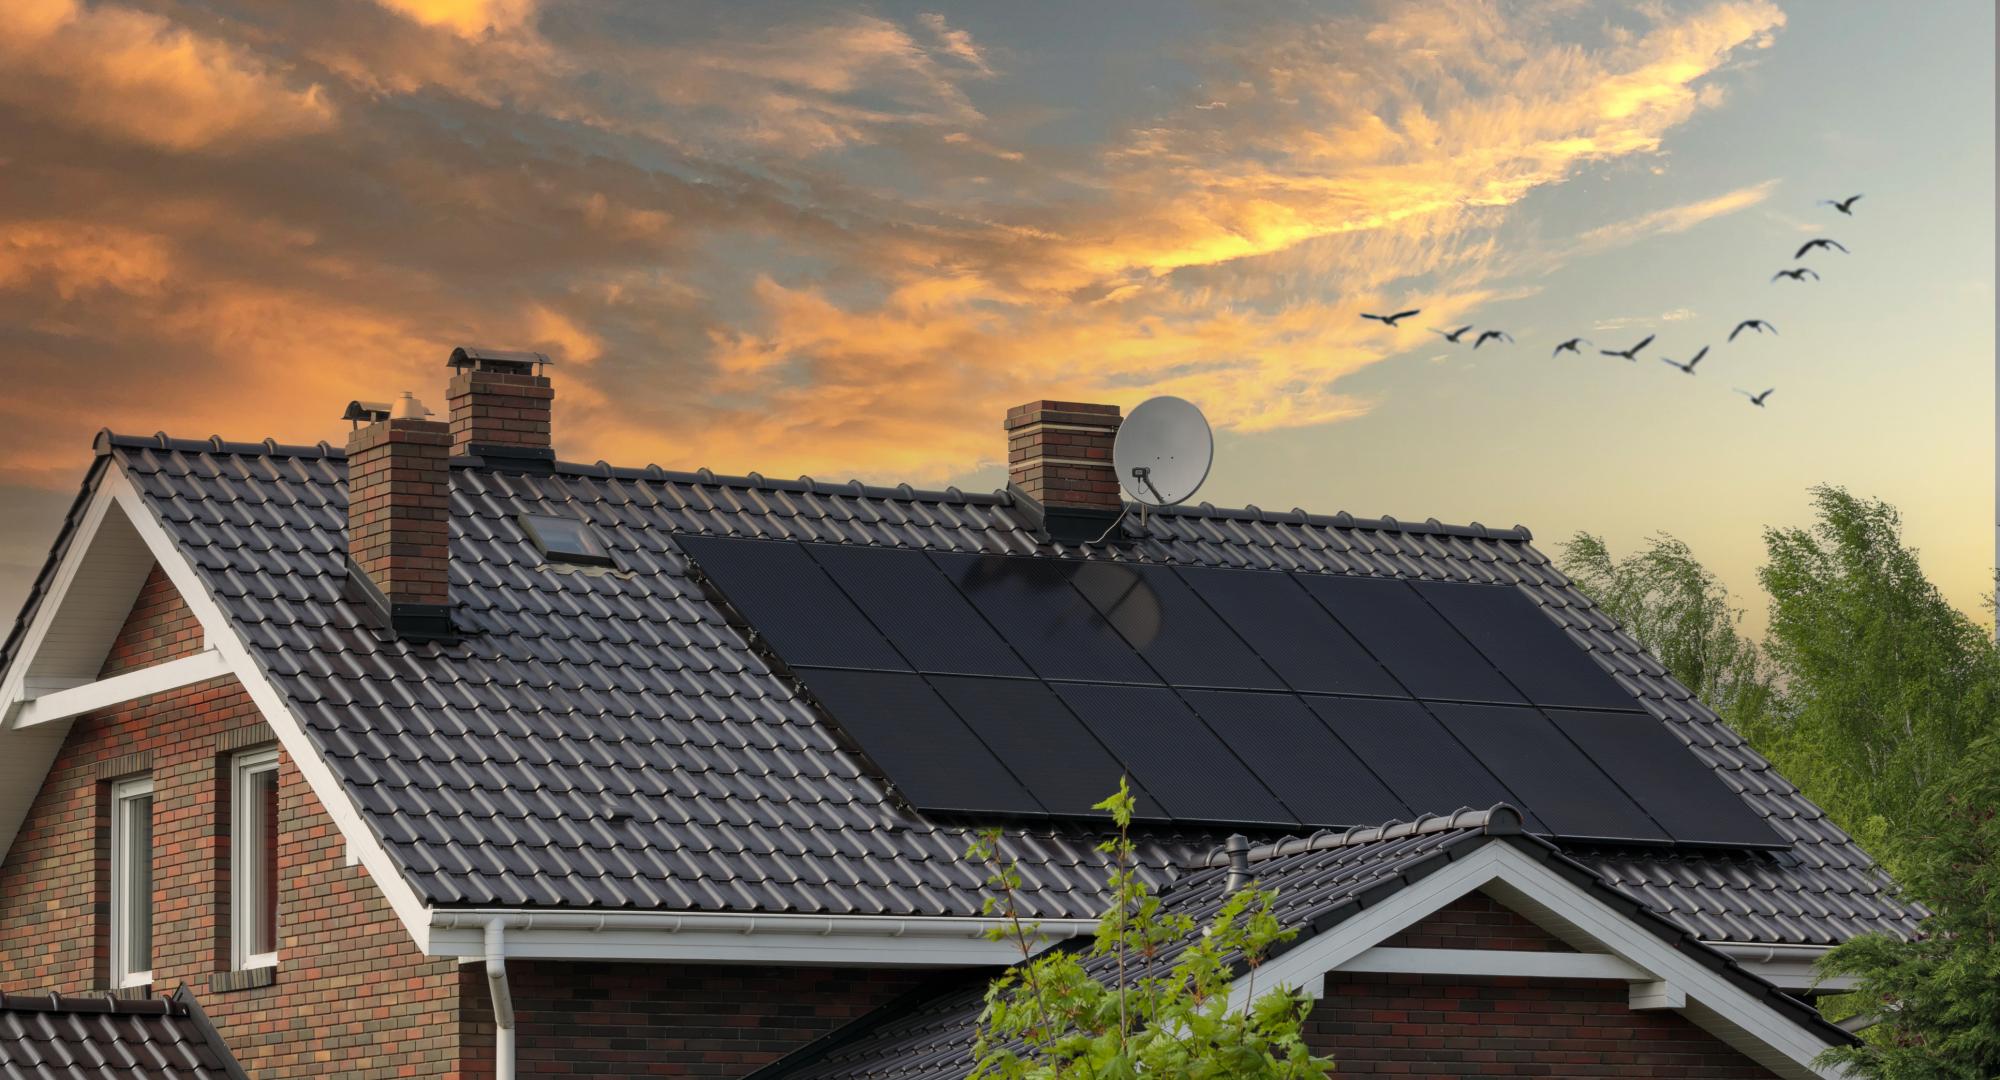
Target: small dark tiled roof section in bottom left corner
<point x="51" y="1037"/>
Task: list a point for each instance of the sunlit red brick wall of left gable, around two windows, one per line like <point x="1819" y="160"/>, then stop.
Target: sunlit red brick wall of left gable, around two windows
<point x="351" y="993"/>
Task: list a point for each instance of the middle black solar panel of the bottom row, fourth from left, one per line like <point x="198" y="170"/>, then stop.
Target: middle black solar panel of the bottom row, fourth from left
<point x="1299" y="759"/>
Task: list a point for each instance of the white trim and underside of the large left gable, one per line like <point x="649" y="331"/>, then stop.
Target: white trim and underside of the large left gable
<point x="27" y="755"/>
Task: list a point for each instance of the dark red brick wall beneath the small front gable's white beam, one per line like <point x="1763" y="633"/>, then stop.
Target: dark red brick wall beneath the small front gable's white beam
<point x="1421" y="1027"/>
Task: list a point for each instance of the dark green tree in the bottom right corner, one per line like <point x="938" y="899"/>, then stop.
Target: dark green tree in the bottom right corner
<point x="1939" y="997"/>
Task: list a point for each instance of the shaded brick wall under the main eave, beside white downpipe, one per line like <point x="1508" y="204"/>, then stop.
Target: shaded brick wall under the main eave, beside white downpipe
<point x="667" y="1019"/>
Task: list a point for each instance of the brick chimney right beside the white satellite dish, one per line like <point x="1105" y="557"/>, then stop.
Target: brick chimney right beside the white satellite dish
<point x="1061" y="457"/>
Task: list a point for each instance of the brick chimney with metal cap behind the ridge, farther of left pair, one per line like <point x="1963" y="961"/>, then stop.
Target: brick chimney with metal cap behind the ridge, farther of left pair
<point x="501" y="405"/>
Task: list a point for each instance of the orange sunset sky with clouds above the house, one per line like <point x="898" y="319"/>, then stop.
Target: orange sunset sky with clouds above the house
<point x="843" y="239"/>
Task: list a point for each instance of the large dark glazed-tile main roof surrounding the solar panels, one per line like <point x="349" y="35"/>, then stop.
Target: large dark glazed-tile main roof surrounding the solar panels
<point x="611" y="741"/>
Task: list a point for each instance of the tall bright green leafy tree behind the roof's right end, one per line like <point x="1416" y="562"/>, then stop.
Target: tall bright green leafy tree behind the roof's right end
<point x="1887" y="683"/>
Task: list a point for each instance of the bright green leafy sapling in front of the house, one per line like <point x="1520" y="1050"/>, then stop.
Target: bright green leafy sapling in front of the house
<point x="1119" y="1011"/>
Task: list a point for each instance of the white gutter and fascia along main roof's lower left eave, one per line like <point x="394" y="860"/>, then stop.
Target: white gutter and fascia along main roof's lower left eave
<point x="743" y="939"/>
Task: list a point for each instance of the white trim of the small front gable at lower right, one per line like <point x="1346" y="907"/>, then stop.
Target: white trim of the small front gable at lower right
<point x="1661" y="977"/>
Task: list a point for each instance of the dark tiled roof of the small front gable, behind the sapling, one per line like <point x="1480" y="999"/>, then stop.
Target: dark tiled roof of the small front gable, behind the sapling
<point x="1319" y="883"/>
